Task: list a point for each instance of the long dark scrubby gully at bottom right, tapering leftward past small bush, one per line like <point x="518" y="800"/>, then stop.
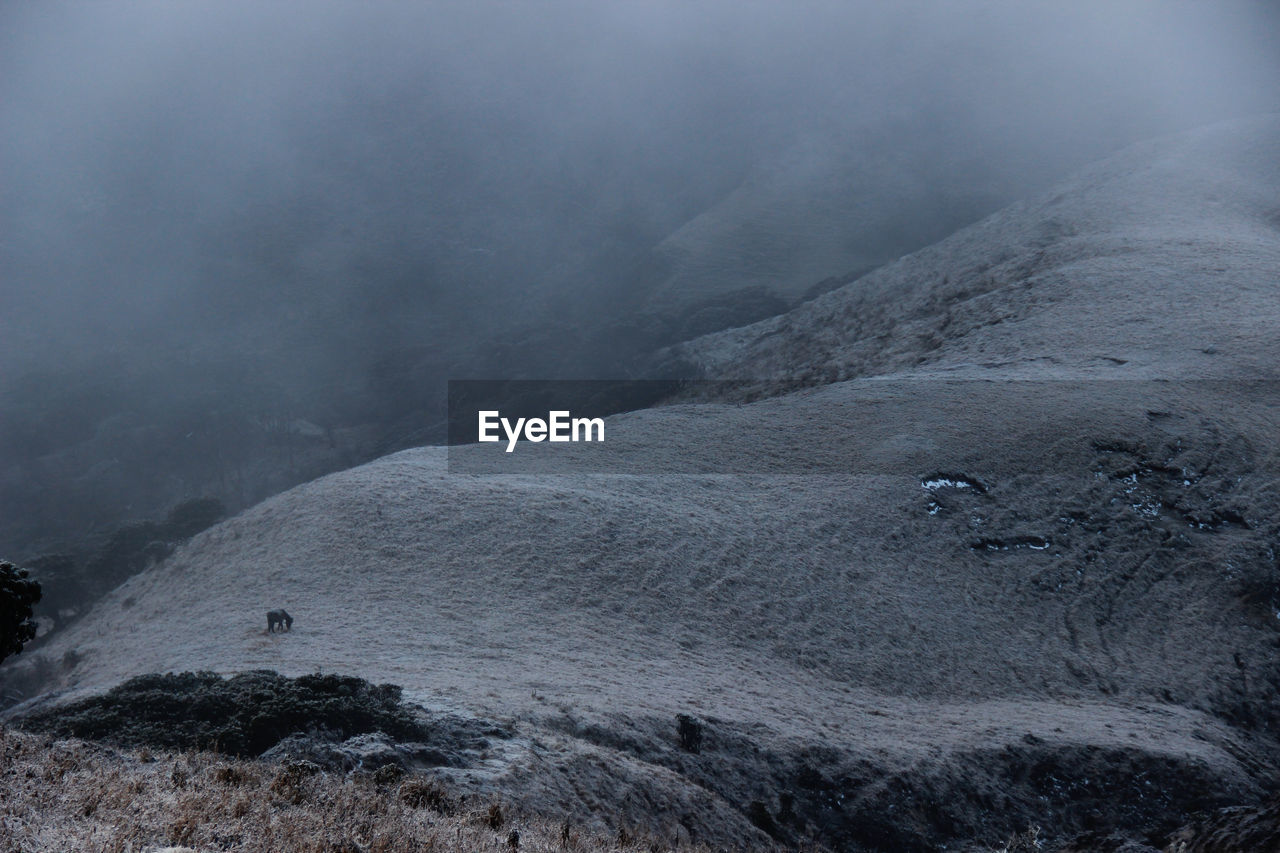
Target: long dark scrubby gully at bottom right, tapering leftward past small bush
<point x="824" y="793"/>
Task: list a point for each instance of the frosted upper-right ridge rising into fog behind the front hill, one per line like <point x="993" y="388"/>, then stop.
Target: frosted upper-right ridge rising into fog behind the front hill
<point x="1163" y="261"/>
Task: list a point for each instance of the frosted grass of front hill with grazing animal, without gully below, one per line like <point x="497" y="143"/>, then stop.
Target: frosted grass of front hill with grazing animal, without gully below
<point x="597" y="585"/>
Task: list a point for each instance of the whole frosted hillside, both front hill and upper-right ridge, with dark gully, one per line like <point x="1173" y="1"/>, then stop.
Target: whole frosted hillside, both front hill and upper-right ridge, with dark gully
<point x="909" y="612"/>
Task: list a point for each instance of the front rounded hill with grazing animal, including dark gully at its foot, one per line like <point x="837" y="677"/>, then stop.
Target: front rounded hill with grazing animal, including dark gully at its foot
<point x="858" y="633"/>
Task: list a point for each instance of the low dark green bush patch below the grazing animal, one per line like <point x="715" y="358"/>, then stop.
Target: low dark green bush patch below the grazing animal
<point x="243" y="715"/>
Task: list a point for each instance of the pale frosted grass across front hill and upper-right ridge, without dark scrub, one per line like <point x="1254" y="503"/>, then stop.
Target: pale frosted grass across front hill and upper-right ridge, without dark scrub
<point x="829" y="608"/>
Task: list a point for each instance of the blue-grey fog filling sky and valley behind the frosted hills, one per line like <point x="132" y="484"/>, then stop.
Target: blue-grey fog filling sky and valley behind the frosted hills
<point x="225" y="217"/>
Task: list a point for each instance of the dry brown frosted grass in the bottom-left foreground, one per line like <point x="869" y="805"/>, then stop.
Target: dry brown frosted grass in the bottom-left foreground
<point x="61" y="796"/>
